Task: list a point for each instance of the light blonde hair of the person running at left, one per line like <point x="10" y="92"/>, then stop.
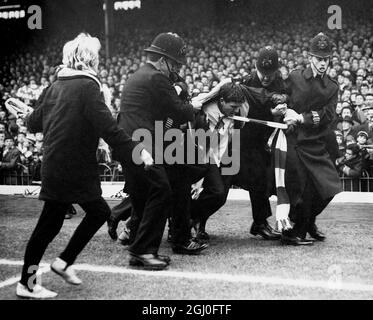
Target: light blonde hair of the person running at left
<point x="82" y="52"/>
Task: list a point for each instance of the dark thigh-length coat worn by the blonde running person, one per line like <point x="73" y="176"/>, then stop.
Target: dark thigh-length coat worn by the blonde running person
<point x="72" y="115"/>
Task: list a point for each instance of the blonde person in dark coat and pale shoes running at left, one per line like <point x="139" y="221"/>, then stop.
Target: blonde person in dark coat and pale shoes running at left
<point x="72" y="116"/>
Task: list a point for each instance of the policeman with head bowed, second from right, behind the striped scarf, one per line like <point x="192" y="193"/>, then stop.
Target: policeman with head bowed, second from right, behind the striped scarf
<point x="255" y="161"/>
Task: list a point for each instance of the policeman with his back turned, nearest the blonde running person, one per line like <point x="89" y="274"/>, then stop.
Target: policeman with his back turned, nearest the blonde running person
<point x="147" y="97"/>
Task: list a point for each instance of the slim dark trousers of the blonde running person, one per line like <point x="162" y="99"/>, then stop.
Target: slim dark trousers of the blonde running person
<point x="49" y="225"/>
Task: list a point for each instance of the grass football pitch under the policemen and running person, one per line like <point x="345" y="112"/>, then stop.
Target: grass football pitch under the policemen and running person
<point x="236" y="266"/>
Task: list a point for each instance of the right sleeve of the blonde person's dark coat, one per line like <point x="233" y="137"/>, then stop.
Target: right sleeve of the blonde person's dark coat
<point x="99" y="116"/>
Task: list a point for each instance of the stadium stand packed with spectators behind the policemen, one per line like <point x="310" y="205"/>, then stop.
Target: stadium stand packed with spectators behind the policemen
<point x="227" y="48"/>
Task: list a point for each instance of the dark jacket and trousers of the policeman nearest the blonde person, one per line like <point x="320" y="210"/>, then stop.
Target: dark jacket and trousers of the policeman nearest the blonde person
<point x="149" y="96"/>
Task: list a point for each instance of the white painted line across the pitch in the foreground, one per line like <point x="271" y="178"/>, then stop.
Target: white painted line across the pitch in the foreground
<point x="328" y="285"/>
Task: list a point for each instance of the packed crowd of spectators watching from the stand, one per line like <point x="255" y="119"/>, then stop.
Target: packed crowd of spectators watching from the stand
<point x="214" y="53"/>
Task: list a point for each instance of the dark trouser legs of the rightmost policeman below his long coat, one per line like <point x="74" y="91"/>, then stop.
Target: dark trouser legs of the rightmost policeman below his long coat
<point x="311" y="205"/>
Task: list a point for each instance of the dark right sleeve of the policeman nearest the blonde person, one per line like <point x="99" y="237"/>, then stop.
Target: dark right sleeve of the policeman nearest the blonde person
<point x="170" y="101"/>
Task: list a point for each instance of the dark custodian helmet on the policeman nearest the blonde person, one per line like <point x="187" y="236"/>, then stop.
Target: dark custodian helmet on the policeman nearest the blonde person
<point x="170" y="45"/>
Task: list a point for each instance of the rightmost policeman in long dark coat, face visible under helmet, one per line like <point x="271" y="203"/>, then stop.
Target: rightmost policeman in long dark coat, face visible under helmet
<point x="311" y="178"/>
